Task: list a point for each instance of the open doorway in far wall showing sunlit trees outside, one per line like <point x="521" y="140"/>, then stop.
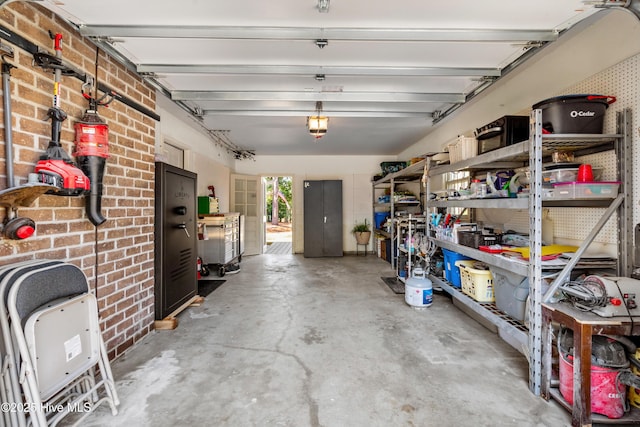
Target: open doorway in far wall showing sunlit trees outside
<point x="279" y="215"/>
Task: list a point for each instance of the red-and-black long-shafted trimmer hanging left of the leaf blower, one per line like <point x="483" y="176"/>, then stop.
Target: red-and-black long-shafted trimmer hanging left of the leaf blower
<point x="56" y="167"/>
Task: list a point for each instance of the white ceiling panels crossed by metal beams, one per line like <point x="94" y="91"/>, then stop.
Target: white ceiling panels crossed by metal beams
<point x="390" y="69"/>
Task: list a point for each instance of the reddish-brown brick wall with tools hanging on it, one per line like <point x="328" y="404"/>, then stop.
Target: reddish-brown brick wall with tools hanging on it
<point x="117" y="256"/>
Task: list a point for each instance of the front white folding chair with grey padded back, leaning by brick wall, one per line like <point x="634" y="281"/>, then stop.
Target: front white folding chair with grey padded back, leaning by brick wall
<point x="54" y="322"/>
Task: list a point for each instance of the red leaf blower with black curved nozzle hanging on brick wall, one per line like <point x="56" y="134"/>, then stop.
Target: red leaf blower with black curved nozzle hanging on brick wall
<point x="92" y="151"/>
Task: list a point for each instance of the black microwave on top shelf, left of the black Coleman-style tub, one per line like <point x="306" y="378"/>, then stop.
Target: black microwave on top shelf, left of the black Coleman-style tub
<point x="505" y="131"/>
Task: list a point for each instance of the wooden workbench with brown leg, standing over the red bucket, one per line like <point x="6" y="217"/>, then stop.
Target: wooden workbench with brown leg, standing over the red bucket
<point x="584" y="325"/>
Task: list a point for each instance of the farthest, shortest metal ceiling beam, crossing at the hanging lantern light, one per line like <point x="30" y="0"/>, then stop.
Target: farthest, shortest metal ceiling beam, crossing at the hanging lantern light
<point x="329" y="113"/>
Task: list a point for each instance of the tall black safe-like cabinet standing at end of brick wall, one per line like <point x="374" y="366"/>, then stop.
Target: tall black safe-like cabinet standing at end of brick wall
<point x="175" y="239"/>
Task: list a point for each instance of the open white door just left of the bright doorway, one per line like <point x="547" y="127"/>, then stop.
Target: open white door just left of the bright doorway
<point x="246" y="198"/>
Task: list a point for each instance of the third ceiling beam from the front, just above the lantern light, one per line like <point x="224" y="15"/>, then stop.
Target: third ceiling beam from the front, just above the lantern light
<point x="180" y="95"/>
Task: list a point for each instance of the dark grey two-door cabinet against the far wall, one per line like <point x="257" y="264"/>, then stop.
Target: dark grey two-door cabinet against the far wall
<point x="323" y="218"/>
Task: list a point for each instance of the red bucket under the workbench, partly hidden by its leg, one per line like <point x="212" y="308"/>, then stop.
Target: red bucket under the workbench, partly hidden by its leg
<point x="607" y="394"/>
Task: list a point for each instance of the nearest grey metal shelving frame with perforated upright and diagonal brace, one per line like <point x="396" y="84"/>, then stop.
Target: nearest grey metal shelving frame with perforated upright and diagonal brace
<point x="532" y="152"/>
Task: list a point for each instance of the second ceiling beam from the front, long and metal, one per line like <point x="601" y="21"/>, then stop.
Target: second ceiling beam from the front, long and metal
<point x="334" y="70"/>
